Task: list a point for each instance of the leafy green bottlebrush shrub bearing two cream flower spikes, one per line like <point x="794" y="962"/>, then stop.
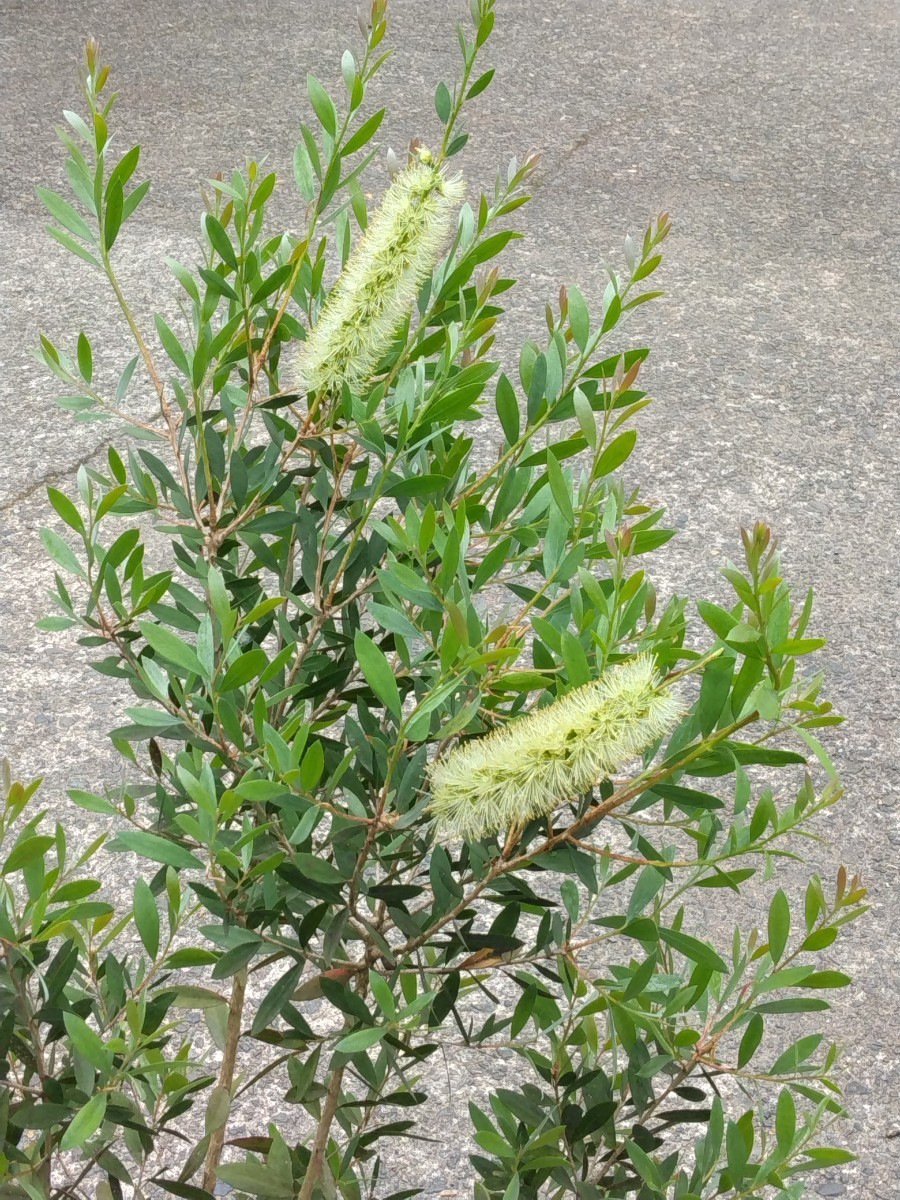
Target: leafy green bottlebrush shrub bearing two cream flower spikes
<point x="410" y="728"/>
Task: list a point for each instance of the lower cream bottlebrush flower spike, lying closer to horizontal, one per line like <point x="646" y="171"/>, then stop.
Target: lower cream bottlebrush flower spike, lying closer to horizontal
<point x="555" y="754"/>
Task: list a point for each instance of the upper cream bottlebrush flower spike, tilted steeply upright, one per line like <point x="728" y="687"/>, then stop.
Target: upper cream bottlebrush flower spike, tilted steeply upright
<point x="382" y="278"/>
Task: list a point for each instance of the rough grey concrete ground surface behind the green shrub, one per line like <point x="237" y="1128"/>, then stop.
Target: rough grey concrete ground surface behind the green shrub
<point x="769" y="129"/>
